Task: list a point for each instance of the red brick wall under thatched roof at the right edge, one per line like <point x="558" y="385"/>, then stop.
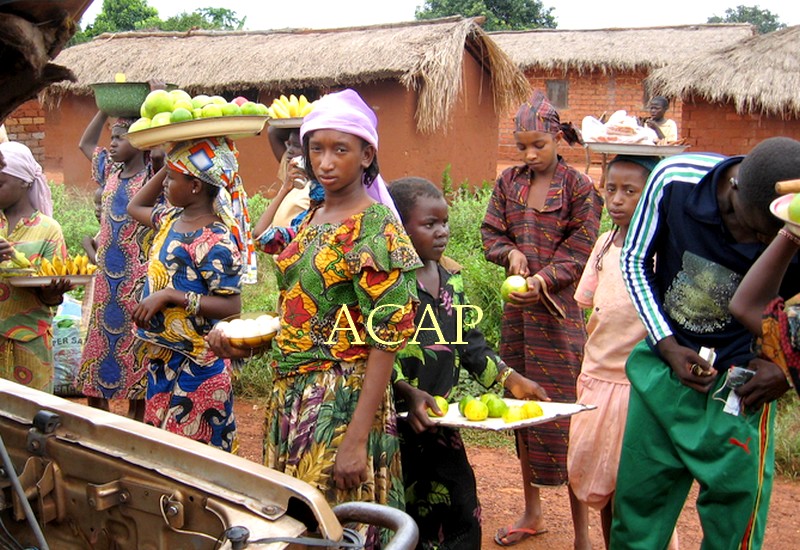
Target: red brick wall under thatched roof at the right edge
<point x="718" y="128"/>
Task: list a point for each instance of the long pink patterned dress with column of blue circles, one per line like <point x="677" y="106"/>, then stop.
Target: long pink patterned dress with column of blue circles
<point x="112" y="366"/>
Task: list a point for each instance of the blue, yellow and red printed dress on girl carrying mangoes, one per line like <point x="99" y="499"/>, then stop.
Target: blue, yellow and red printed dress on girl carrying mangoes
<point x="189" y="389"/>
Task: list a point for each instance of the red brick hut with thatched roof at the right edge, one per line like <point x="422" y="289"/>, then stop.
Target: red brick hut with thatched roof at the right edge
<point x="738" y="95"/>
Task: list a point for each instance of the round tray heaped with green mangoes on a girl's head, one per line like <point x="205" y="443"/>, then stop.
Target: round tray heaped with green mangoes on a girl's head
<point x="171" y="116"/>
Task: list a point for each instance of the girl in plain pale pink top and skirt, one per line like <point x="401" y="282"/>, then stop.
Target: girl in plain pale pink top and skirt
<point x="614" y="328"/>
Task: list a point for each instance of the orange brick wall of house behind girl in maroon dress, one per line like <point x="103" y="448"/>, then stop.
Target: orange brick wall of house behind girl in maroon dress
<point x="591" y="93"/>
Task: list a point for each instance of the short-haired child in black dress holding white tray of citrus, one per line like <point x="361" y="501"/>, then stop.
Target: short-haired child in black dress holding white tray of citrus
<point x="439" y="482"/>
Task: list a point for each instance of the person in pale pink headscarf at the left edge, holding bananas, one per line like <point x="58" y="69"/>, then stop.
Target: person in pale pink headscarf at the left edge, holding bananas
<point x="26" y="352"/>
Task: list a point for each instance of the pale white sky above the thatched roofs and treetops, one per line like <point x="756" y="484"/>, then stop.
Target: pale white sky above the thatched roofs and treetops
<point x="569" y="14"/>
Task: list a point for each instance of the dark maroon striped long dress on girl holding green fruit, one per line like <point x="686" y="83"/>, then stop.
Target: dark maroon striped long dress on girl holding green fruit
<point x="544" y="342"/>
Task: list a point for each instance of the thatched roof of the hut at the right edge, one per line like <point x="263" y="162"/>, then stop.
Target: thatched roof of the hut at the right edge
<point x="760" y="74"/>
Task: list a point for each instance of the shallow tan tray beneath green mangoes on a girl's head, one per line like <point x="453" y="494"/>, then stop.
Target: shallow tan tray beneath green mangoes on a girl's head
<point x="233" y="126"/>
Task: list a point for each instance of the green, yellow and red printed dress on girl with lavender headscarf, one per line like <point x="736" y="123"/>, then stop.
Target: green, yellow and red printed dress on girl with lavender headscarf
<point x="333" y="278"/>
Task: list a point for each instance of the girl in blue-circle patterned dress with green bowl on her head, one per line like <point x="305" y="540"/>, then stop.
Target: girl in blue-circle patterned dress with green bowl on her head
<point x="112" y="366"/>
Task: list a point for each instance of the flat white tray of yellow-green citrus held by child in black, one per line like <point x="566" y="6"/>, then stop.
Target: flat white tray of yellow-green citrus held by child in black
<point x="493" y="413"/>
